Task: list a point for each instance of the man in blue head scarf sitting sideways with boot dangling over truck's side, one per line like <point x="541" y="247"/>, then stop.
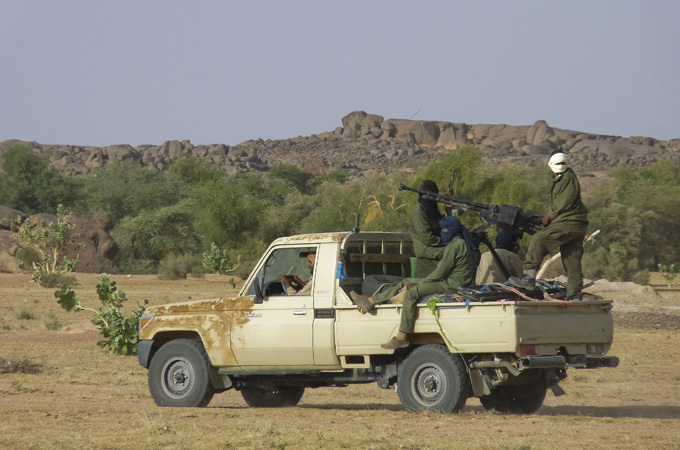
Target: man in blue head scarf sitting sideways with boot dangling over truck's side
<point x="456" y="269"/>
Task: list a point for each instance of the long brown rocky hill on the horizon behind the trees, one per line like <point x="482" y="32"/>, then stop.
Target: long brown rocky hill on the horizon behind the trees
<point x="369" y="143"/>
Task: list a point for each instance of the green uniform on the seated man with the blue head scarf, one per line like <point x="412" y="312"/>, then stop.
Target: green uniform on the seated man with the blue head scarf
<point x="456" y="269"/>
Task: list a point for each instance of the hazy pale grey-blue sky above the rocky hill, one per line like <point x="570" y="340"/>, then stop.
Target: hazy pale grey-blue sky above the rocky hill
<point x="142" y="72"/>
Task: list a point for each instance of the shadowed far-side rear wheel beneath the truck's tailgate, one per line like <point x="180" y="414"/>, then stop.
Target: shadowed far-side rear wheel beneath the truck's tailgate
<point x="515" y="399"/>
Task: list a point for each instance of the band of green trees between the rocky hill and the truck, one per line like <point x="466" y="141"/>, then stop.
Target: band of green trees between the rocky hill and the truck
<point x="192" y="209"/>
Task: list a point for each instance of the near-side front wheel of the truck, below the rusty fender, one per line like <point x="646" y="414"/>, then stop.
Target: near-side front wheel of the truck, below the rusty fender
<point x="179" y="375"/>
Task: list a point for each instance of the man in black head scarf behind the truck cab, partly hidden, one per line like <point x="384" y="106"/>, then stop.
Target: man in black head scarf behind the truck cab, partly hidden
<point x="423" y="223"/>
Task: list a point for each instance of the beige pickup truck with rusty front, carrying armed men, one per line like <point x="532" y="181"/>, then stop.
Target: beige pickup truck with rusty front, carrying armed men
<point x="271" y="346"/>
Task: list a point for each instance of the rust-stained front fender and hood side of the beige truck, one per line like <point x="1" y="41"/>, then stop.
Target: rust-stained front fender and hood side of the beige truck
<point x="211" y="319"/>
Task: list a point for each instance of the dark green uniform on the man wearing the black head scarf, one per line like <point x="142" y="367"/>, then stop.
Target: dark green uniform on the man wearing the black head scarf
<point x="427" y="243"/>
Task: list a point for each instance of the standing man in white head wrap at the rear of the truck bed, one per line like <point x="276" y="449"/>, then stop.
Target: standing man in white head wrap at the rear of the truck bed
<point x="565" y="229"/>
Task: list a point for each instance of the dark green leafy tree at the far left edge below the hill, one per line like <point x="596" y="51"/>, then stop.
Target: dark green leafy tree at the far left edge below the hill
<point x="29" y="184"/>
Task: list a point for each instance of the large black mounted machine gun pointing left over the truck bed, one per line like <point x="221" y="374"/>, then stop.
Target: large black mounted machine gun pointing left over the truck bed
<point x="505" y="217"/>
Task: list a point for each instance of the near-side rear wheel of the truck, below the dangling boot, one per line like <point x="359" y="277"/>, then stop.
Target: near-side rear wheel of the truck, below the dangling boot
<point x="433" y="379"/>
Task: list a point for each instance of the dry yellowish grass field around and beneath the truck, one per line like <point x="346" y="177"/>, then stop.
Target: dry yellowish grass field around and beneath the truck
<point x="82" y="397"/>
